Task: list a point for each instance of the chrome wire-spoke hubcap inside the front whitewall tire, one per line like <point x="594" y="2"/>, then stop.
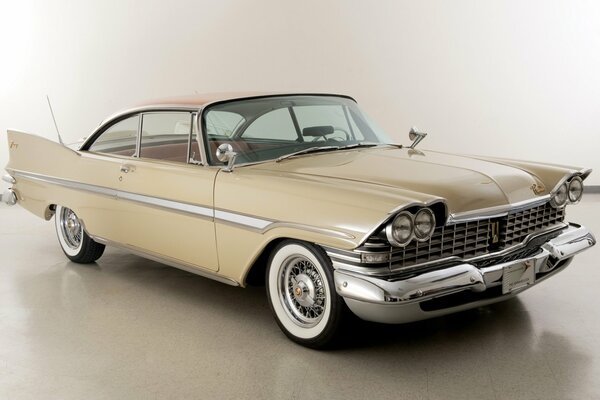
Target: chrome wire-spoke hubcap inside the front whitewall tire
<point x="302" y="291"/>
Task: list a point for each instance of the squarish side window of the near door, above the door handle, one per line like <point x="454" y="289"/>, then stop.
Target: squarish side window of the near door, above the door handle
<point x="165" y="136"/>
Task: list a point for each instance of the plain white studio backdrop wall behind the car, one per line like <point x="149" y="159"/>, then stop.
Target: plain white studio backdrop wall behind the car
<point x="511" y="78"/>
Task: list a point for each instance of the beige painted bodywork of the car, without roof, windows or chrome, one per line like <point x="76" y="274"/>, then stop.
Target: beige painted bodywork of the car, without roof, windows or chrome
<point x="333" y="199"/>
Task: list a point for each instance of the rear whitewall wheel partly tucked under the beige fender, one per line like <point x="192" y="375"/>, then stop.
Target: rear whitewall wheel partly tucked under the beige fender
<point x="75" y="243"/>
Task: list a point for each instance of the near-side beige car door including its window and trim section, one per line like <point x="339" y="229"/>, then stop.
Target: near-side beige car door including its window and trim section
<point x="167" y="202"/>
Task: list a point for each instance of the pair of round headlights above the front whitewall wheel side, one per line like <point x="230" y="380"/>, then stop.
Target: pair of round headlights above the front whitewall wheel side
<point x="407" y="226"/>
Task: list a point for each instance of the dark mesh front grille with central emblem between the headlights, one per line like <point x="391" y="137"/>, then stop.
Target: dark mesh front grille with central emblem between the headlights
<point x="470" y="239"/>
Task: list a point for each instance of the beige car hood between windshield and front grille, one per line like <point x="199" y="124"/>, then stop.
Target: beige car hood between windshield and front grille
<point x="466" y="183"/>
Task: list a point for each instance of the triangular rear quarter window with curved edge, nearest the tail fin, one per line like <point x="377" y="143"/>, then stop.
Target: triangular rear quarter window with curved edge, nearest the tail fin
<point x="120" y="138"/>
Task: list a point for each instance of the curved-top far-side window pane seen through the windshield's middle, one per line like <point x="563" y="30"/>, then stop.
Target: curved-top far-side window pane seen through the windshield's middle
<point x="276" y="125"/>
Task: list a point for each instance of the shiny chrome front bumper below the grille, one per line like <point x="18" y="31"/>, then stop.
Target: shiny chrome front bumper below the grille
<point x="454" y="288"/>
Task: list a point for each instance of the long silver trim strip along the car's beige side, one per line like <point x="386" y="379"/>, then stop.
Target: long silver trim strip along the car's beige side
<point x="257" y="224"/>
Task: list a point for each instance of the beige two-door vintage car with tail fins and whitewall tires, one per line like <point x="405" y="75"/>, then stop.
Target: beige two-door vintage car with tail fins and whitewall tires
<point x="302" y="192"/>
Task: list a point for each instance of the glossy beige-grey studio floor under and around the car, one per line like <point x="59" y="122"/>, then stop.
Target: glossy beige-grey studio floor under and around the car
<point x="130" y="328"/>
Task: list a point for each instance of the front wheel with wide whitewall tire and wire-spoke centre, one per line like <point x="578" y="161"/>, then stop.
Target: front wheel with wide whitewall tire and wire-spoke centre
<point x="302" y="295"/>
